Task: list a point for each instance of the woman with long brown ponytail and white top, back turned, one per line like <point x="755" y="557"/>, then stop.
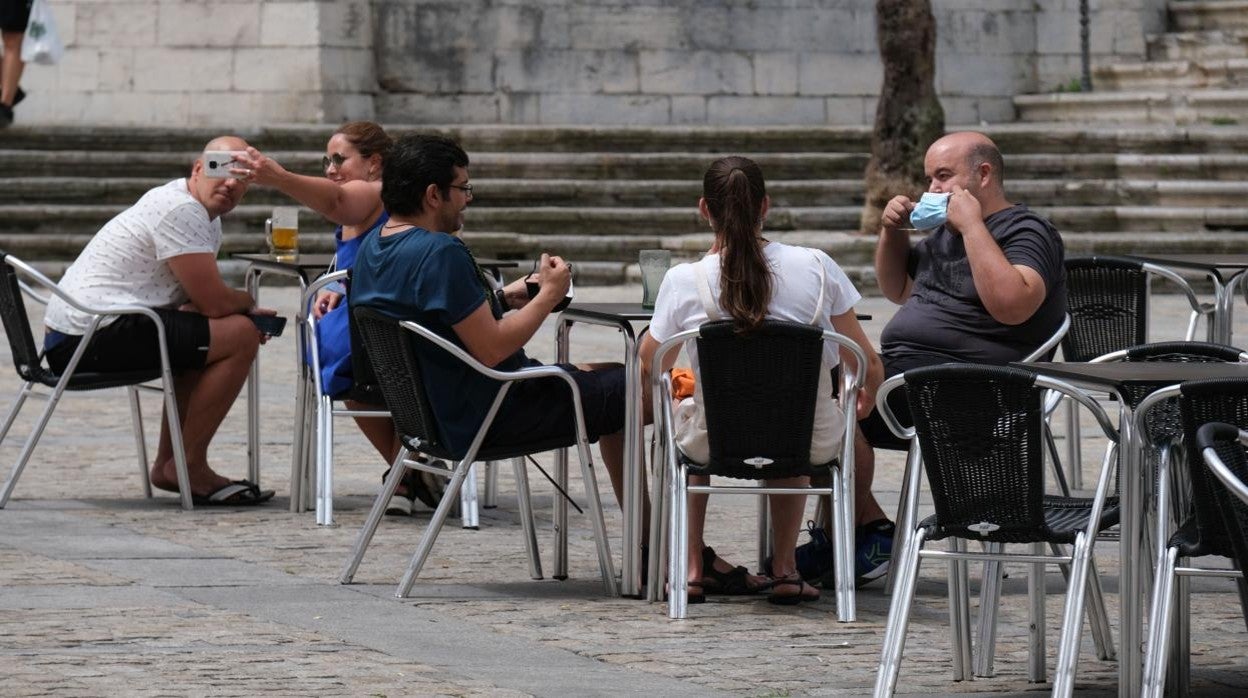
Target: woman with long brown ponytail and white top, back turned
<point x="748" y="279"/>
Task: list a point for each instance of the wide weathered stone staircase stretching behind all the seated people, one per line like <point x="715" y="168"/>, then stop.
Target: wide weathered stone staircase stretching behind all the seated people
<point x="597" y="195"/>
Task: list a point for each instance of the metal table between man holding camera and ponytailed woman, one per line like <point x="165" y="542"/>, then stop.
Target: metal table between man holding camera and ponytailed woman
<point x="622" y="318"/>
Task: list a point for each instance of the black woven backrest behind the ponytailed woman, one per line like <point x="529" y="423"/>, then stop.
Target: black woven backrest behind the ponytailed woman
<point x="759" y="393"/>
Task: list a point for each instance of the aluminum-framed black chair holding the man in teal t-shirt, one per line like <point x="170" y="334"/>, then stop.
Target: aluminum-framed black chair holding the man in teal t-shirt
<point x="395" y="350"/>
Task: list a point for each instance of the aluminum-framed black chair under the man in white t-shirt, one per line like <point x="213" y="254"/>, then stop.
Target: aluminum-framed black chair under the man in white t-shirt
<point x="17" y="278"/>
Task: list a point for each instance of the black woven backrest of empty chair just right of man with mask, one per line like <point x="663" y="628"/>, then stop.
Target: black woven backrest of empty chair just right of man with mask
<point x="1108" y="299"/>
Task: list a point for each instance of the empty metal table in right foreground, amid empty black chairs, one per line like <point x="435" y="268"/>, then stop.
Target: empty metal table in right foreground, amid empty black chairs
<point x="1116" y="376"/>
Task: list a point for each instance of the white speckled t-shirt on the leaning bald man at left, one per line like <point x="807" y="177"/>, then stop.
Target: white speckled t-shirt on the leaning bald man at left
<point x="128" y="262"/>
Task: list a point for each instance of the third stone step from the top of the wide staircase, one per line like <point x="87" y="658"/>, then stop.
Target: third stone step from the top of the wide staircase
<point x="675" y="193"/>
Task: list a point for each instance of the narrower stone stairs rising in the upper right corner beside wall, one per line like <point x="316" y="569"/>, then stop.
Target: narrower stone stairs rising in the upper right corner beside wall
<point x="1195" y="74"/>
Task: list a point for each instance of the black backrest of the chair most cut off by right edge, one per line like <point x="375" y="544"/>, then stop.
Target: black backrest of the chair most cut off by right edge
<point x="1222" y="441"/>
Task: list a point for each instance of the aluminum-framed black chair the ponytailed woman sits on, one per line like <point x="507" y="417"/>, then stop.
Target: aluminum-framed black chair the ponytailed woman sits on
<point x="759" y="393"/>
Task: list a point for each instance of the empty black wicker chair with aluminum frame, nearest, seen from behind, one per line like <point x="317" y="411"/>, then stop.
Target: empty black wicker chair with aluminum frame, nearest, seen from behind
<point x="985" y="469"/>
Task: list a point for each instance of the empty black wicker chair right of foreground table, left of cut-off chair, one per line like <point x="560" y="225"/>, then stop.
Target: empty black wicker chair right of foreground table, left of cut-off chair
<point x="1202" y="533"/>
